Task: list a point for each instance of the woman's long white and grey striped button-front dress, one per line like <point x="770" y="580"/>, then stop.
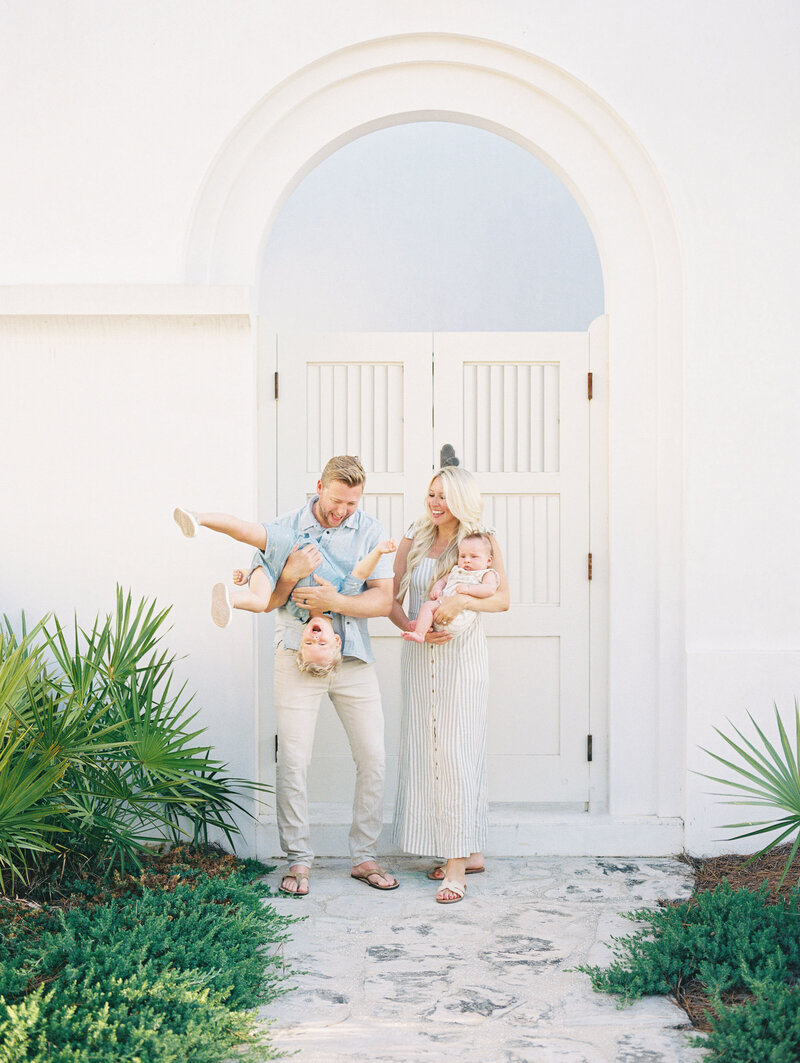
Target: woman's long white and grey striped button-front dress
<point x="441" y="807"/>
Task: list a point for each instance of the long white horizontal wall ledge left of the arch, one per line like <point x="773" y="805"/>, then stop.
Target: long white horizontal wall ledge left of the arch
<point x="147" y="300"/>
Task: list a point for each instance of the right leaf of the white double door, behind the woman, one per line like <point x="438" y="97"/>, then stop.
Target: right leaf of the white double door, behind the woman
<point x="515" y="407"/>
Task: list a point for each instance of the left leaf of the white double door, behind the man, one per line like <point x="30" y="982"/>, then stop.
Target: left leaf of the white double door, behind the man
<point x="369" y="395"/>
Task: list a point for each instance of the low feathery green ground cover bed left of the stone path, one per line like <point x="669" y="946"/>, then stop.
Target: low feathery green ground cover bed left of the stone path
<point x="160" y="968"/>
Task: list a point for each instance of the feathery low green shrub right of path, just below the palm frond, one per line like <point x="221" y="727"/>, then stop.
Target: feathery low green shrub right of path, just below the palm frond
<point x="722" y="938"/>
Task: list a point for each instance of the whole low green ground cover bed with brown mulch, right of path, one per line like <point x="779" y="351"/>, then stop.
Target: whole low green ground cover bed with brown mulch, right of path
<point x="730" y="956"/>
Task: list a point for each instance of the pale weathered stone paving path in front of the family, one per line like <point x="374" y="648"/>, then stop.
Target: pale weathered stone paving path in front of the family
<point x="397" y="978"/>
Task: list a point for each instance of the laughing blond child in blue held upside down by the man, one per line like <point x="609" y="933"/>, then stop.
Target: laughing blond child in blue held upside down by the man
<point x="320" y="649"/>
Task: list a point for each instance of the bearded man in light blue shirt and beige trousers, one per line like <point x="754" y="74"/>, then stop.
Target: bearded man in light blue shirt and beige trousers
<point x="332" y="518"/>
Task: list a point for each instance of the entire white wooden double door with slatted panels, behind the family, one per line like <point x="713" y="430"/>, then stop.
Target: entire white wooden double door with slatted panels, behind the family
<point x="516" y="410"/>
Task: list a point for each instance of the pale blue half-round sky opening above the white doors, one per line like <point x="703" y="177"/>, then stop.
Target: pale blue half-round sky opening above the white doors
<point x="432" y="226"/>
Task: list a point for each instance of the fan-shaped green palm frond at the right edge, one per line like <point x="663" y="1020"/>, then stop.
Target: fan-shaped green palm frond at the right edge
<point x="768" y="778"/>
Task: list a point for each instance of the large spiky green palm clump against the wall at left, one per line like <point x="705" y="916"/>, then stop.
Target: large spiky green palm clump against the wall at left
<point x="99" y="753"/>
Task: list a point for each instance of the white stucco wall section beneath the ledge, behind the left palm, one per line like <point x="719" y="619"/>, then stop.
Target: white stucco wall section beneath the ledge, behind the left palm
<point x="109" y="421"/>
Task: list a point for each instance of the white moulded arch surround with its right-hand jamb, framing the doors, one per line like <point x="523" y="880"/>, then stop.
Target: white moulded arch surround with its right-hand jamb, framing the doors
<point x="639" y="685"/>
